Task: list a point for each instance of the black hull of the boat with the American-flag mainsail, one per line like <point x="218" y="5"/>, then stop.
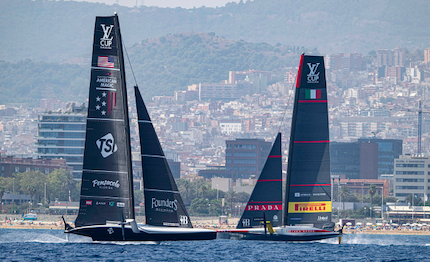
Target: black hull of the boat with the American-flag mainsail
<point x="115" y="233"/>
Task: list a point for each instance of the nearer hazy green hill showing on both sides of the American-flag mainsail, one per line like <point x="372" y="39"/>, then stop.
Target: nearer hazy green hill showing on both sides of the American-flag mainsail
<point x="161" y="65"/>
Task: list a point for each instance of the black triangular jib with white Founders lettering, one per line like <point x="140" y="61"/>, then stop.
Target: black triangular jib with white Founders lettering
<point x="163" y="203"/>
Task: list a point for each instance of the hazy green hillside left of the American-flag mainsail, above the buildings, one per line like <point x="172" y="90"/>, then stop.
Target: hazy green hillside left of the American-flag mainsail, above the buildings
<point x="27" y="82"/>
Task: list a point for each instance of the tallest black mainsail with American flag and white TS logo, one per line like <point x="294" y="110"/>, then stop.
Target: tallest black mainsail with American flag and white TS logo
<point x="106" y="190"/>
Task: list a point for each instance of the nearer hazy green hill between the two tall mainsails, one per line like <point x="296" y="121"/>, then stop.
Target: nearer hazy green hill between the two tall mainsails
<point x="173" y="62"/>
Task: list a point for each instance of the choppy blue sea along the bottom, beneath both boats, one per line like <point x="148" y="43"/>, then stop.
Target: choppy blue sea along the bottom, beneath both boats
<point x="52" y="245"/>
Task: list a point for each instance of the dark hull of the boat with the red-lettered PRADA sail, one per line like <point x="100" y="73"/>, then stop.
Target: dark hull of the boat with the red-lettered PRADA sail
<point x="268" y="237"/>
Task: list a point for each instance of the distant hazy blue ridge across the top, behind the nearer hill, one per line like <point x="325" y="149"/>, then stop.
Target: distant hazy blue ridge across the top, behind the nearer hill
<point x="55" y="31"/>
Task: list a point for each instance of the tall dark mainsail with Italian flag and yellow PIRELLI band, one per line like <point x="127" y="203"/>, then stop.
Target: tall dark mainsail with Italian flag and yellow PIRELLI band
<point x="308" y="192"/>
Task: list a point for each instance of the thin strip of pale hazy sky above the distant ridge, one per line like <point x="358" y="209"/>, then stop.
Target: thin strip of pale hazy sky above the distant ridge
<point x="164" y="3"/>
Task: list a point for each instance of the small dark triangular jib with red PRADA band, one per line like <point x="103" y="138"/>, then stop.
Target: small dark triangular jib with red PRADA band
<point x="266" y="198"/>
